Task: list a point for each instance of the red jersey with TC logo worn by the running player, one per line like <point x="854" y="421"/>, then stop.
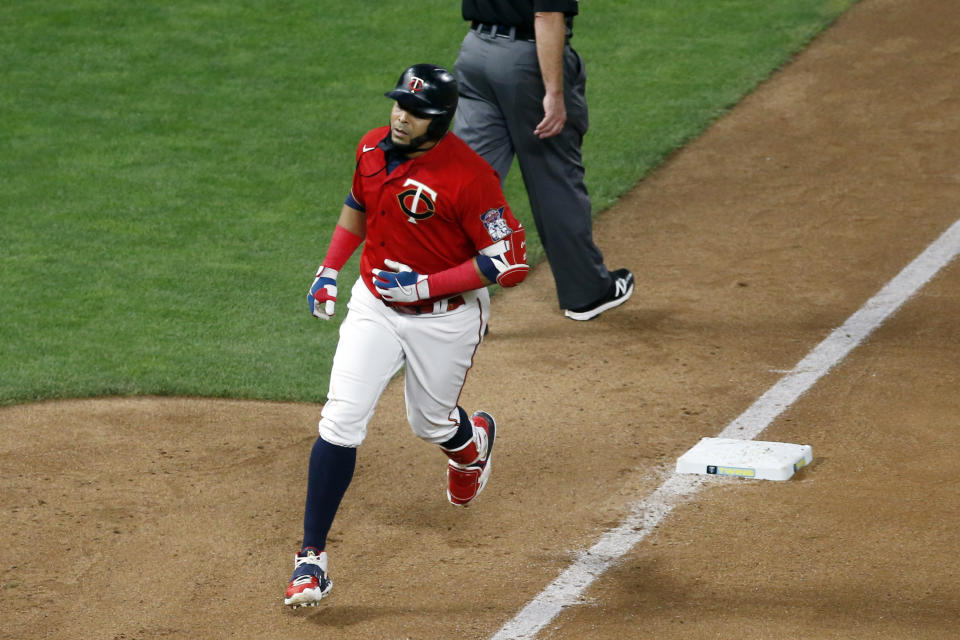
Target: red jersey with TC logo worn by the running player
<point x="432" y="212"/>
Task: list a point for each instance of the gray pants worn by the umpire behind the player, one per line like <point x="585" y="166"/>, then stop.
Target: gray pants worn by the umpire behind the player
<point x="501" y="103"/>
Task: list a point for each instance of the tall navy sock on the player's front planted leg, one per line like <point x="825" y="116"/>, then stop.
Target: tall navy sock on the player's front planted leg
<point x="331" y="469"/>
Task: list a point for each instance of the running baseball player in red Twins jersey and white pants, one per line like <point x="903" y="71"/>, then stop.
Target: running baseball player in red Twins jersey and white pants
<point x="436" y="230"/>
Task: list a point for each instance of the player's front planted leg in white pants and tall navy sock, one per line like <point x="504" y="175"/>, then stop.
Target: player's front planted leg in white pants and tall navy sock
<point x="368" y="355"/>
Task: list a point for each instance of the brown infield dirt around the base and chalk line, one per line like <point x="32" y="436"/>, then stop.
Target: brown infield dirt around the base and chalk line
<point x="149" y="518"/>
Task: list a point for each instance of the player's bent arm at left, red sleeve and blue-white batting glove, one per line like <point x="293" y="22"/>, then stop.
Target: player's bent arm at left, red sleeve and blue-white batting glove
<point x="347" y="236"/>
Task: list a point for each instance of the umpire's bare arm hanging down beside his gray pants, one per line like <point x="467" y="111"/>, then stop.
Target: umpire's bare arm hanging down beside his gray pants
<point x="551" y="35"/>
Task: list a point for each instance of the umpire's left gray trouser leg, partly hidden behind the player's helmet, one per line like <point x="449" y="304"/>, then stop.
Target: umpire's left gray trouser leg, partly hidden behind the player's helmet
<point x="479" y="121"/>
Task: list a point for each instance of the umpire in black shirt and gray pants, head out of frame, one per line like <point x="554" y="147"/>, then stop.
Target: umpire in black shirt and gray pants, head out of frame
<point x="522" y="91"/>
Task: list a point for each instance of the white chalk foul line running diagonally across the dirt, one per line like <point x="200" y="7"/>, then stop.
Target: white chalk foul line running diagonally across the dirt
<point x="645" y="515"/>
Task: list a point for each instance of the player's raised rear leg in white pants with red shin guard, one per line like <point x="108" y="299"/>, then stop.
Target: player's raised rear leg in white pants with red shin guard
<point x="440" y="351"/>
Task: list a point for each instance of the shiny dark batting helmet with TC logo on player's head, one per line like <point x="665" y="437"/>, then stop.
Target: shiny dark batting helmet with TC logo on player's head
<point x="428" y="91"/>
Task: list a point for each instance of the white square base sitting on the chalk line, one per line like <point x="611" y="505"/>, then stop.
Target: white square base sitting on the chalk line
<point x="745" y="458"/>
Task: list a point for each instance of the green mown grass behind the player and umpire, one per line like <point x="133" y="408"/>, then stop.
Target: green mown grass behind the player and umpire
<point x="171" y="171"/>
